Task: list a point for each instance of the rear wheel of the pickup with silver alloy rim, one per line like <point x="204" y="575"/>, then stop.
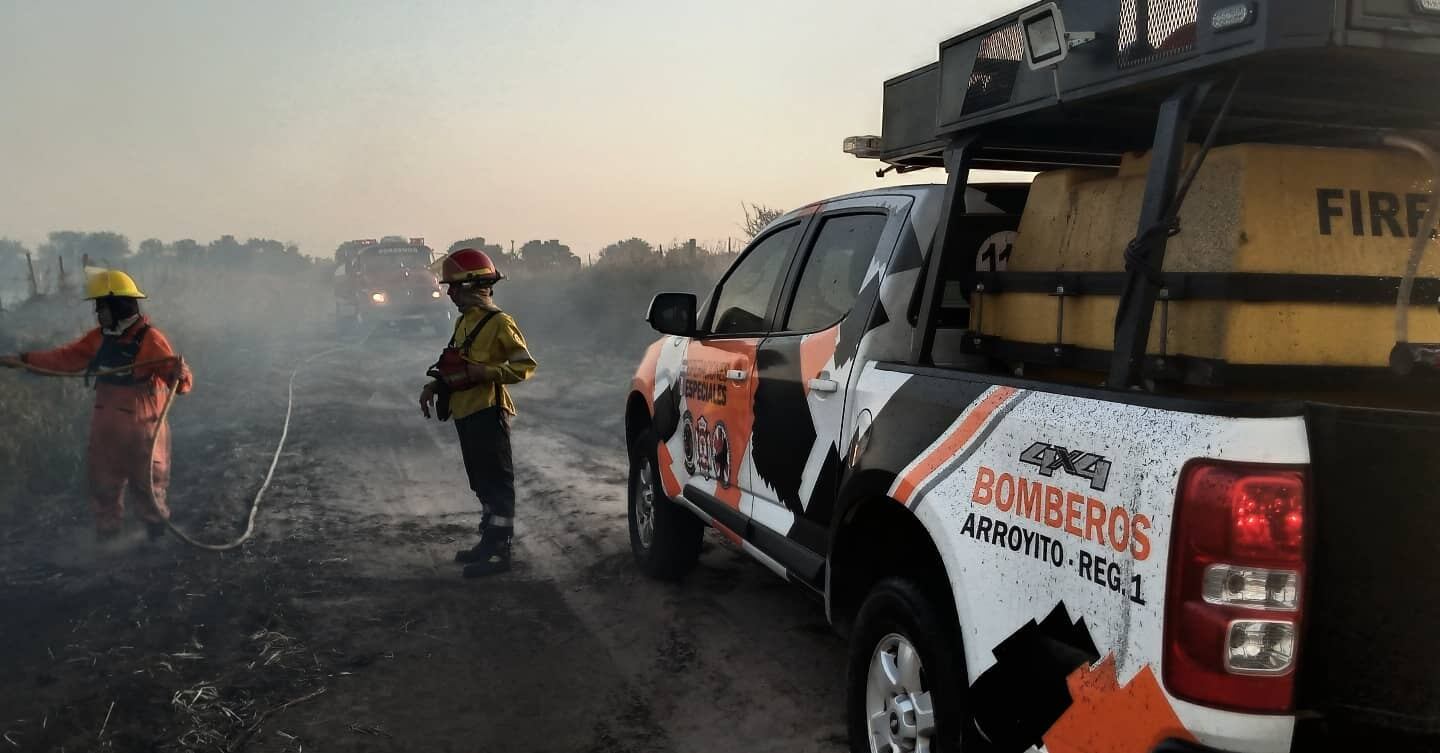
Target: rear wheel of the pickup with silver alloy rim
<point x="906" y="675"/>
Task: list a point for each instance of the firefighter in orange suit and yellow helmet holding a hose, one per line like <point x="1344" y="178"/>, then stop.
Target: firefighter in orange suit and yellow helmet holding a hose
<point x="127" y="405"/>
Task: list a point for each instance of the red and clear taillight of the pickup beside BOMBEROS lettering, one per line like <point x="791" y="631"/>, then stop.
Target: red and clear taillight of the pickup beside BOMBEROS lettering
<point x="1236" y="591"/>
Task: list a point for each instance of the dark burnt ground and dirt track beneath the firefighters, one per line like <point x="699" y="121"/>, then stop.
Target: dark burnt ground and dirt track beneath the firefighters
<point x="345" y="626"/>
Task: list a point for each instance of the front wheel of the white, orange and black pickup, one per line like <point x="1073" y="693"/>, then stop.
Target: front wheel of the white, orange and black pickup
<point x="665" y="536"/>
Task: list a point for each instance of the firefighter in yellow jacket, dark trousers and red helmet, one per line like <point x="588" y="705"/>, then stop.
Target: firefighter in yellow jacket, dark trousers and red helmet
<point x="486" y="353"/>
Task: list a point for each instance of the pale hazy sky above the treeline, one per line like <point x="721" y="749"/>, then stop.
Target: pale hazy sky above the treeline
<point x="316" y="123"/>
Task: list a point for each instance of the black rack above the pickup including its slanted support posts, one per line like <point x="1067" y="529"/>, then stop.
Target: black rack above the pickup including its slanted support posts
<point x="1082" y="83"/>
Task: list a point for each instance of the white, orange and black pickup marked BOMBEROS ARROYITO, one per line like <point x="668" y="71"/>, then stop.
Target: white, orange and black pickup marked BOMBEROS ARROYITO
<point x="1138" y="457"/>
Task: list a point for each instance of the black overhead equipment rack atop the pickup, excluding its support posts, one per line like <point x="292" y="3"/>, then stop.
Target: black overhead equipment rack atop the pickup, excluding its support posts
<point x="1327" y="73"/>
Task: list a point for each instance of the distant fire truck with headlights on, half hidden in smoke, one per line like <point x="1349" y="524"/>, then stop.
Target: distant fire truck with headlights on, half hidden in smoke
<point x="390" y="283"/>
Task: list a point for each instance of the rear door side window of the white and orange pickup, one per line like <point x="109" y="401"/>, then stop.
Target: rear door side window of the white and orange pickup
<point x="834" y="271"/>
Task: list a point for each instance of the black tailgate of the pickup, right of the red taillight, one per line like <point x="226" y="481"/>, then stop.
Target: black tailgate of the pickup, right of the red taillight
<point x="1372" y="657"/>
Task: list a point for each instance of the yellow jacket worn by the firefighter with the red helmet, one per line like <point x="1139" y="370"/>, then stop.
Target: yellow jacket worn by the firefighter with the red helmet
<point x="502" y="351"/>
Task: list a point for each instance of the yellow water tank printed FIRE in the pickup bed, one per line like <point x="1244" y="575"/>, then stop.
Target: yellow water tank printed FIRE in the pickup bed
<point x="1255" y="209"/>
